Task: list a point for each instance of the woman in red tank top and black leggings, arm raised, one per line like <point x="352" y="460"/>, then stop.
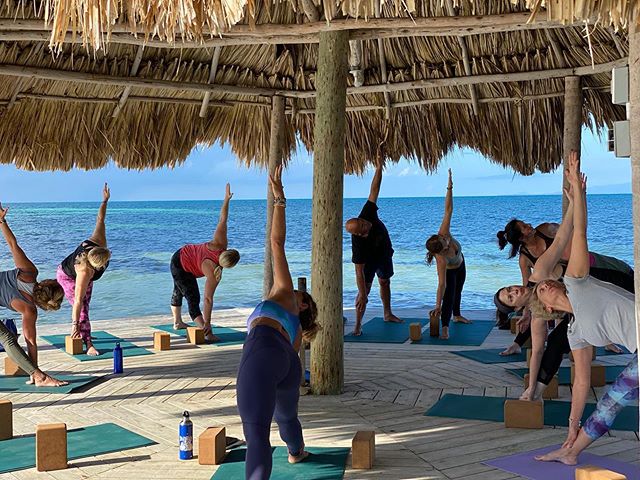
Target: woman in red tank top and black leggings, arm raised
<point x="194" y="261"/>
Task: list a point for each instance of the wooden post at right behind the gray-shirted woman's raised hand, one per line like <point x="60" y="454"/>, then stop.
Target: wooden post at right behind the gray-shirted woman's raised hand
<point x="572" y="125"/>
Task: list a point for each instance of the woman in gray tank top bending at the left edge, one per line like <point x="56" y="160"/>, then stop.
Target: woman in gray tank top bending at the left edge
<point x="21" y="292"/>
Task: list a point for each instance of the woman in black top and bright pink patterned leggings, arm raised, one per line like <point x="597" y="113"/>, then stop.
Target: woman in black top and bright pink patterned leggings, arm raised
<point x="77" y="272"/>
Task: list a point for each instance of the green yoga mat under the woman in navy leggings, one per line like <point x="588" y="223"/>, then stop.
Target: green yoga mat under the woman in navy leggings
<point x="322" y="464"/>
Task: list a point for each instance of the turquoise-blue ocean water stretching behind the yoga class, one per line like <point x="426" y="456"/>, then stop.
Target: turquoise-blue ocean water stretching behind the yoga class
<point x="144" y="235"/>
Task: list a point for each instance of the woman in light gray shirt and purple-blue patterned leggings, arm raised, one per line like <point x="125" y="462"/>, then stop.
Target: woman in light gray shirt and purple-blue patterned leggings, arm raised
<point x="603" y="313"/>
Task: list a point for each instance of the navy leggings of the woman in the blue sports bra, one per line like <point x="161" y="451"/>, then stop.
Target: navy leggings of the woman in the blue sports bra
<point x="268" y="386"/>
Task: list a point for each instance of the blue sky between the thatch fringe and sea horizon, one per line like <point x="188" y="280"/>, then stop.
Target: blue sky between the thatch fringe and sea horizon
<point x="206" y="171"/>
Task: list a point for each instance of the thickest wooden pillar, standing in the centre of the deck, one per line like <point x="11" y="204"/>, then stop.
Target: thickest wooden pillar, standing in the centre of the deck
<point x="327" y="375"/>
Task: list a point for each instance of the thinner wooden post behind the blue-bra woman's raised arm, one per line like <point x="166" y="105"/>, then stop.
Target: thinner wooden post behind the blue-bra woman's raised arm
<point x="275" y="159"/>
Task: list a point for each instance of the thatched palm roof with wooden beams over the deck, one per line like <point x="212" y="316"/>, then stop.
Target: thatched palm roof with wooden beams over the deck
<point x="108" y="94"/>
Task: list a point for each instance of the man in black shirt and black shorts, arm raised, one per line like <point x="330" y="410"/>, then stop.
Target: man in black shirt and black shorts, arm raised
<point x="372" y="255"/>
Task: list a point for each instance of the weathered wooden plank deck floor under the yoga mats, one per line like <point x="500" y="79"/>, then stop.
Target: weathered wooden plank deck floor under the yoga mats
<point x="387" y="389"/>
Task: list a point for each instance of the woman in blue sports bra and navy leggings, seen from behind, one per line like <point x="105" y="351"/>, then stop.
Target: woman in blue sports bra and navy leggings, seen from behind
<point x="270" y="371"/>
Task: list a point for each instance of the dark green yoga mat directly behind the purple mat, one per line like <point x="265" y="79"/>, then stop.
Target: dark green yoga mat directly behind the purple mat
<point x="556" y="413"/>
